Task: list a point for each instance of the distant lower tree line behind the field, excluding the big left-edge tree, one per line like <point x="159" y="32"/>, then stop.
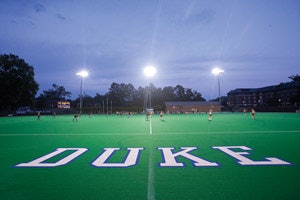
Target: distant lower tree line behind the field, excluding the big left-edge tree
<point x="120" y="97"/>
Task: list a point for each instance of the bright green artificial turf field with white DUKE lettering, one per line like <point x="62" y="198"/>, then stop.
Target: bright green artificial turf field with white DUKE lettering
<point x="152" y="173"/>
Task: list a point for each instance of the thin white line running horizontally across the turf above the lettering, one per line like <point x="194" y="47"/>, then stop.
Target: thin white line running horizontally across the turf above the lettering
<point x="120" y="134"/>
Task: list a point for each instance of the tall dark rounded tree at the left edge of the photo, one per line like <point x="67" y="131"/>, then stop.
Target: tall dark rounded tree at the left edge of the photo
<point x="18" y="87"/>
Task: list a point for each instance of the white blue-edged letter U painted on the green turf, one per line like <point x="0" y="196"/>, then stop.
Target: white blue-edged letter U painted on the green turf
<point x="130" y="160"/>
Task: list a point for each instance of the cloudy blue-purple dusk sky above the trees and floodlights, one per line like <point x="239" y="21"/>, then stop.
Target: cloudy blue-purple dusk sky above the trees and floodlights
<point x="256" y="42"/>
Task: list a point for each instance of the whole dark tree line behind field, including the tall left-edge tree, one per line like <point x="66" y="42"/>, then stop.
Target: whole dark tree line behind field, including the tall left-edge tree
<point x="19" y="88"/>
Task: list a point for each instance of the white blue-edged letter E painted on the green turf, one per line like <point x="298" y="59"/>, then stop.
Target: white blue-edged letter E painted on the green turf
<point x="246" y="161"/>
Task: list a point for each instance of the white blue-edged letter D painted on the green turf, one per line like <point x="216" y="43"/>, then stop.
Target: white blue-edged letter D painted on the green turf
<point x="39" y="162"/>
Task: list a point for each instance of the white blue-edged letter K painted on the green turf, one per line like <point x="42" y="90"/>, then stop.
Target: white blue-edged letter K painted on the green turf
<point x="170" y="158"/>
